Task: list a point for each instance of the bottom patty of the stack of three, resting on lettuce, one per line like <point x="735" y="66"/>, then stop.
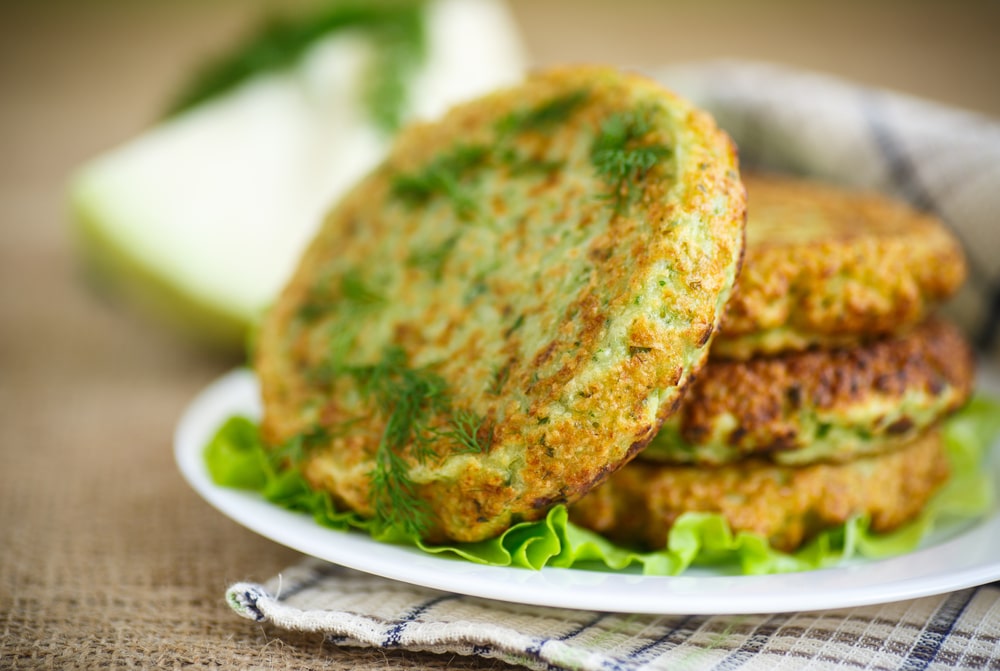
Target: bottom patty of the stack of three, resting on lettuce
<point x="786" y="505"/>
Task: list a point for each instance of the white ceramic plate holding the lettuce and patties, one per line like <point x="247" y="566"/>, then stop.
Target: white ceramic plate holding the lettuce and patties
<point x="954" y="560"/>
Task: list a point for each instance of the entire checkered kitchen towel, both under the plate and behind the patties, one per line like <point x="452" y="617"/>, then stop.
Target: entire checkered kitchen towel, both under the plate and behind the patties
<point x="940" y="159"/>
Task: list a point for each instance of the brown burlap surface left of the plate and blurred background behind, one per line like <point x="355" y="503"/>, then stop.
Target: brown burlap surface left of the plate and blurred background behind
<point x="107" y="557"/>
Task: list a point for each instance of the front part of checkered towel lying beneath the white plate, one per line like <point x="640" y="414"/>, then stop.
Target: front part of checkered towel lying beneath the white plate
<point x="957" y="630"/>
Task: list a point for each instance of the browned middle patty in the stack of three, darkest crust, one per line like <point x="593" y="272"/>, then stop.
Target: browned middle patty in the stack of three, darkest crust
<point x="820" y="405"/>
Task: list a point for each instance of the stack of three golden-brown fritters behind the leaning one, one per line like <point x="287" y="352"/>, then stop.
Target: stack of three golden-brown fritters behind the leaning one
<point x="825" y="386"/>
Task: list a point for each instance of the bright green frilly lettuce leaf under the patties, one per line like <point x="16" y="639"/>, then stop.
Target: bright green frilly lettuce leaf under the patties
<point x="236" y="457"/>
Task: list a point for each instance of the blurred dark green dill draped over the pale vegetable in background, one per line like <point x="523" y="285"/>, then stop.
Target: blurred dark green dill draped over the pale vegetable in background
<point x="396" y="29"/>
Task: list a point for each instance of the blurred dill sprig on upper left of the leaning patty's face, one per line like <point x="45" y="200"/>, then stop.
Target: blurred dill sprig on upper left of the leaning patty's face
<point x="447" y="175"/>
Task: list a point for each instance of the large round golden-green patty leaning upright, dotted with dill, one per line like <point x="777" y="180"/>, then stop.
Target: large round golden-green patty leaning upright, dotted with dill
<point x="507" y="308"/>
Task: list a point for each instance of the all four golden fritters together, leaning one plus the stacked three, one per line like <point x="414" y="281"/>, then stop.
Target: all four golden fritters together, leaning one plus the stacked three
<point x="499" y="317"/>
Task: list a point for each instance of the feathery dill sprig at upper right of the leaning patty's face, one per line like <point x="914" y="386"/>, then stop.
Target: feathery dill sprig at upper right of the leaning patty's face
<point x="622" y="158"/>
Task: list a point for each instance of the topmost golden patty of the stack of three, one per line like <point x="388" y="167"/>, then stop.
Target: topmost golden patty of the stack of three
<point x="825" y="265"/>
